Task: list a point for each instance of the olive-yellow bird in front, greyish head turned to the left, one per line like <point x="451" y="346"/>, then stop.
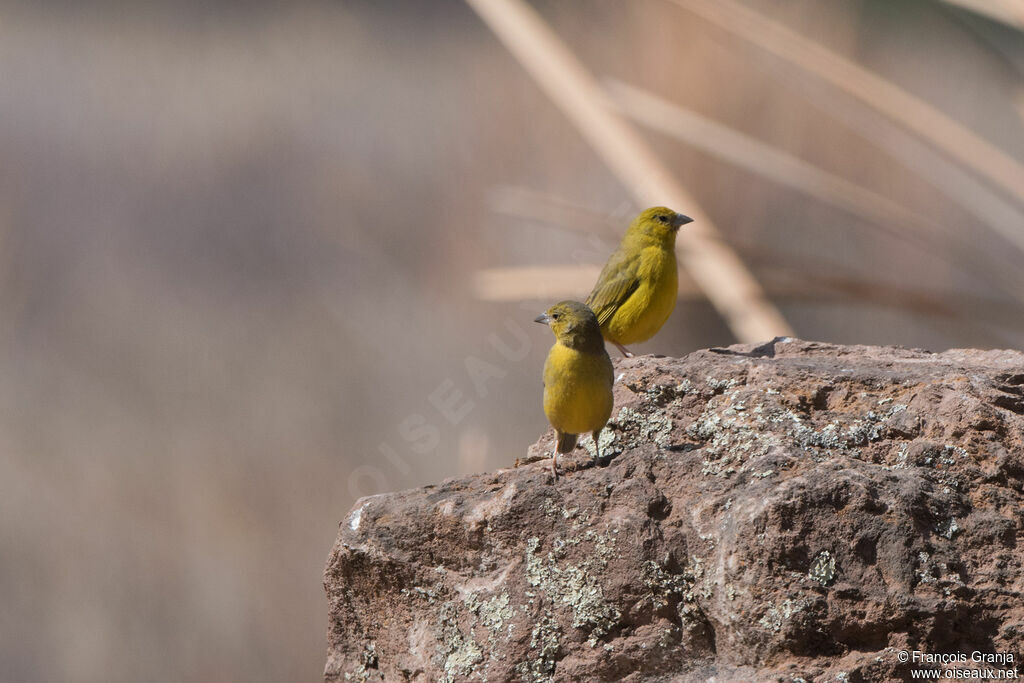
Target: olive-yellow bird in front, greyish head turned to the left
<point x="578" y="377"/>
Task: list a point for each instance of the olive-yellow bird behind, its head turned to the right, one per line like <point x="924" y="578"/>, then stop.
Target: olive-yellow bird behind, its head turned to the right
<point x="637" y="289"/>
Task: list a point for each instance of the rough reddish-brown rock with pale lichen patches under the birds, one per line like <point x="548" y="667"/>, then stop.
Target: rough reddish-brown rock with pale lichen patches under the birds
<point x="792" y="511"/>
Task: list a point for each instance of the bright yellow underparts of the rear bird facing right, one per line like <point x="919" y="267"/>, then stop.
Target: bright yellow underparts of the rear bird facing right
<point x="641" y="317"/>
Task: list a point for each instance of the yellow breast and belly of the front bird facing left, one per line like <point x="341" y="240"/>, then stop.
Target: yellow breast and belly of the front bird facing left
<point x="577" y="390"/>
